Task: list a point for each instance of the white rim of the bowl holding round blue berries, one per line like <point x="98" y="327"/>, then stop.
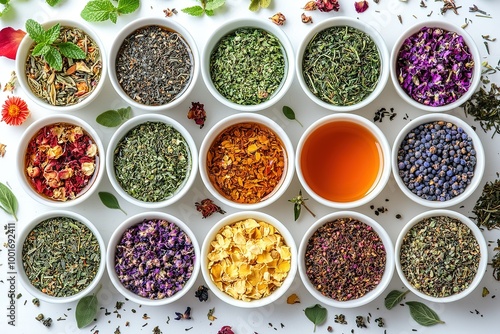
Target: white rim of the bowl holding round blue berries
<point x="478" y="169"/>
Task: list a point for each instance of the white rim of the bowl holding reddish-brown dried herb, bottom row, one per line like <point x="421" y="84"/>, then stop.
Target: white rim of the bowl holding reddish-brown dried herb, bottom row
<point x="388" y="271"/>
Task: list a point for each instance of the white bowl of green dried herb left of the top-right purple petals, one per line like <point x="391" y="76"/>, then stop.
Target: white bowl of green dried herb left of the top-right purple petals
<point x="343" y="64"/>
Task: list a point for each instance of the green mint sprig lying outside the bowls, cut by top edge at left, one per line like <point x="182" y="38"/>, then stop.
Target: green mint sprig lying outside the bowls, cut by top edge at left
<point x="102" y="10"/>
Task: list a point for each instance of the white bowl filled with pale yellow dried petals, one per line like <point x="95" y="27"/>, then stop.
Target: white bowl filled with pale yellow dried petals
<point x="249" y="259"/>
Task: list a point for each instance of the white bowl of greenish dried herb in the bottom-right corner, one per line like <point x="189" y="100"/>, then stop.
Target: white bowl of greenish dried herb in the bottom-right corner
<point x="441" y="255"/>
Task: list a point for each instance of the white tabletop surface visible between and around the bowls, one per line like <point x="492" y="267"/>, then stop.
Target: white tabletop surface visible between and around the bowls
<point x="472" y="314"/>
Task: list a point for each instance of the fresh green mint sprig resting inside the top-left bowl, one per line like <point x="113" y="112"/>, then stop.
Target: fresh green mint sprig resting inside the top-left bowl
<point x="47" y="47"/>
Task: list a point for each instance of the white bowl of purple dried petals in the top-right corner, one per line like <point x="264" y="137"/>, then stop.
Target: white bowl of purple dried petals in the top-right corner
<point x="435" y="66"/>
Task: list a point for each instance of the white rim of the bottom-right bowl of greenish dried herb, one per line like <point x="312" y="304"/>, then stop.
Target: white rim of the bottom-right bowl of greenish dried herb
<point x="480" y="240"/>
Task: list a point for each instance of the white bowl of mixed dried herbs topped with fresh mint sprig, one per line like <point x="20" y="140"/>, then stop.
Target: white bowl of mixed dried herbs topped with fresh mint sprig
<point x="61" y="64"/>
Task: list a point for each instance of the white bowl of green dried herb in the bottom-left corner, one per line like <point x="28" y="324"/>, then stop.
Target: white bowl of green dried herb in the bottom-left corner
<point x="60" y="256"/>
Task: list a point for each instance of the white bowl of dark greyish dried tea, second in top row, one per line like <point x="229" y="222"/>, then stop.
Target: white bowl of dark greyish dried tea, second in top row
<point x="153" y="63"/>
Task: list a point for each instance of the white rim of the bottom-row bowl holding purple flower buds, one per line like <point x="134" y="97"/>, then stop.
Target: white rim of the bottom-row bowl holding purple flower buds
<point x="111" y="250"/>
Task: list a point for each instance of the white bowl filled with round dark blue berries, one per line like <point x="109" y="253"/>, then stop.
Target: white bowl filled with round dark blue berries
<point x="438" y="160"/>
